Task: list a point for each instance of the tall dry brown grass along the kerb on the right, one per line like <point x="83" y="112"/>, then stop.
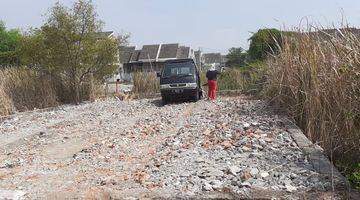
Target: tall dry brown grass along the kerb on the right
<point x="316" y="77"/>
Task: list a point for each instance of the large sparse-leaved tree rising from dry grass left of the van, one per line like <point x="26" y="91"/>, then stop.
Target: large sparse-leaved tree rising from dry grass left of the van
<point x="70" y="47"/>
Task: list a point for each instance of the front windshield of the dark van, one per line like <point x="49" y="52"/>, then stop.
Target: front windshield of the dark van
<point x="179" y="69"/>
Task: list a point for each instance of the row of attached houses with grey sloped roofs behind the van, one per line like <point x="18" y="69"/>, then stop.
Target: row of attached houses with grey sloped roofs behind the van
<point x="150" y="58"/>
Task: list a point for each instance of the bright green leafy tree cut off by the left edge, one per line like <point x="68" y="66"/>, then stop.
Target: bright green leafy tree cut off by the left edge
<point x="9" y="41"/>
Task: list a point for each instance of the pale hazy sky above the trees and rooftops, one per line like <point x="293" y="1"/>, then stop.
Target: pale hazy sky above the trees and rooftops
<point x="213" y="25"/>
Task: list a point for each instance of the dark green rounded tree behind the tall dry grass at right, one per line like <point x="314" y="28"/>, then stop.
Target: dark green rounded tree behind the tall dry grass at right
<point x="263" y="42"/>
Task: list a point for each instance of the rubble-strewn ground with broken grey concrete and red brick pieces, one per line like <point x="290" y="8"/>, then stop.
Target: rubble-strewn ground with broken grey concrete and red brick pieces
<point x="230" y="148"/>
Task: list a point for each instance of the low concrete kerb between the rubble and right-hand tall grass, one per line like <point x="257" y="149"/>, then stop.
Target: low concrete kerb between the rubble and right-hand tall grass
<point x="321" y="164"/>
